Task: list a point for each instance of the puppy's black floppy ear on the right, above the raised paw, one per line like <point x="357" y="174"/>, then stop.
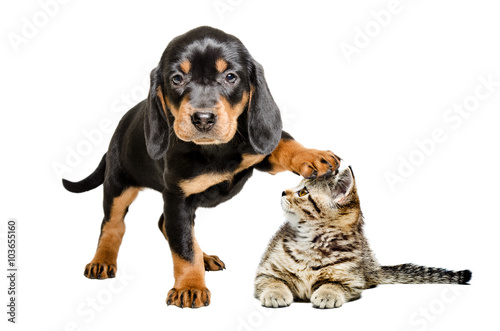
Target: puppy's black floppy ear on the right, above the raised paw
<point x="264" y="119"/>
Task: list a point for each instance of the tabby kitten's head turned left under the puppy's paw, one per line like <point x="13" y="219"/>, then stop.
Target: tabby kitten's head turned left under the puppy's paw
<point x="317" y="199"/>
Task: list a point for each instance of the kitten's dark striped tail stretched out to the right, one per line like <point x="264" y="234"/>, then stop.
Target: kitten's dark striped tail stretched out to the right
<point x="415" y="274"/>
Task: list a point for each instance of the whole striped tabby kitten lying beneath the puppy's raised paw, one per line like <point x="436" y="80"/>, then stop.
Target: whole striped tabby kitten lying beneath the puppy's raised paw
<point x="321" y="255"/>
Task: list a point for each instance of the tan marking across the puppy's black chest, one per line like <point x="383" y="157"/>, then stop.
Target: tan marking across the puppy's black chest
<point x="201" y="182"/>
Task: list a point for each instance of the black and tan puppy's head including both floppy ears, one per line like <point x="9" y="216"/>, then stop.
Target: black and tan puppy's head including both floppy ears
<point x="205" y="81"/>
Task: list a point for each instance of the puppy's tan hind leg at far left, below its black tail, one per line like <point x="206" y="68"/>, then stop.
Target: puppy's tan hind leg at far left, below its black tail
<point x="103" y="265"/>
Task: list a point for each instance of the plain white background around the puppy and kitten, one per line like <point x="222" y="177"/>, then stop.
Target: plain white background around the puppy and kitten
<point x="88" y="59"/>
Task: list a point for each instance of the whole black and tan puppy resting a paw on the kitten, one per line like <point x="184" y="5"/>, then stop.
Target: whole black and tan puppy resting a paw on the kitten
<point x="208" y="121"/>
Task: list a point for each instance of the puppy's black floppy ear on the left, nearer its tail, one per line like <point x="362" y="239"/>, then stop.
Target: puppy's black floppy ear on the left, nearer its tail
<point x="156" y="128"/>
